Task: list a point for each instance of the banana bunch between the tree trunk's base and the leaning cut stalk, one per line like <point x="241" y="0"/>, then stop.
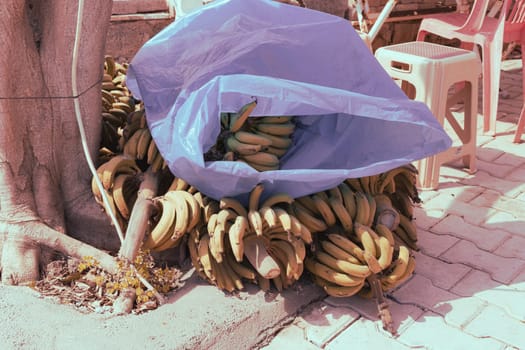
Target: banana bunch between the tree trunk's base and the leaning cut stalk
<point x="120" y="179"/>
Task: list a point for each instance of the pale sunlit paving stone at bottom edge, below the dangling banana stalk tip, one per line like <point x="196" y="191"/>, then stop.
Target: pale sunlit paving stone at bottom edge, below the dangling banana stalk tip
<point x="364" y="335"/>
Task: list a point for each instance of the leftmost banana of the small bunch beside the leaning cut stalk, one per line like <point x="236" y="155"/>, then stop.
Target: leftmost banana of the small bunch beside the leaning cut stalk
<point x="163" y="229"/>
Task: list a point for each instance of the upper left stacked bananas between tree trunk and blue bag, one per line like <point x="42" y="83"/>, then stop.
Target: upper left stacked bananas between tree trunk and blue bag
<point x="117" y="102"/>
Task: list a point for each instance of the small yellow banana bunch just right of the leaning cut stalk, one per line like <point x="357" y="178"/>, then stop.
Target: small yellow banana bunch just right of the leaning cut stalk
<point x="178" y="213"/>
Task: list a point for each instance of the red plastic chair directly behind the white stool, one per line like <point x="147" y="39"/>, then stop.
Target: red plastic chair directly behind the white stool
<point x="476" y="28"/>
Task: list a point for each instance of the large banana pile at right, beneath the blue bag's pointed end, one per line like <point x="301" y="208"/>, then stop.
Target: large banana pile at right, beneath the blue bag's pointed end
<point x="362" y="234"/>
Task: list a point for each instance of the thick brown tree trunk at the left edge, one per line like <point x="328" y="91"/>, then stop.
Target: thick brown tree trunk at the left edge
<point x="44" y="178"/>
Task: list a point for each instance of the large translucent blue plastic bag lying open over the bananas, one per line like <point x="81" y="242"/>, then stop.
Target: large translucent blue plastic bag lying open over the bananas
<point x="352" y="120"/>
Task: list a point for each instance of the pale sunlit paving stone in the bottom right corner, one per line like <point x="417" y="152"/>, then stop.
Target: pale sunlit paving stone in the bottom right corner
<point x="495" y="323"/>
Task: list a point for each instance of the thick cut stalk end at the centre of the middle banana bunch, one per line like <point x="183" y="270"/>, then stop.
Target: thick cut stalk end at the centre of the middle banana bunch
<point x="256" y="253"/>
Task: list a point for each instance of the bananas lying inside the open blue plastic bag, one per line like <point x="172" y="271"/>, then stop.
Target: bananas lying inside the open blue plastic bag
<point x="258" y="141"/>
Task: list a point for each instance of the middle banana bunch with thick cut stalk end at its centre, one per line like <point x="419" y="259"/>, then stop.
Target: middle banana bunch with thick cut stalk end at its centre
<point x="268" y="236"/>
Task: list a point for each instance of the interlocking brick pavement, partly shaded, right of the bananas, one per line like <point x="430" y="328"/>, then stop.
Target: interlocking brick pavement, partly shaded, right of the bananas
<point x="468" y="290"/>
